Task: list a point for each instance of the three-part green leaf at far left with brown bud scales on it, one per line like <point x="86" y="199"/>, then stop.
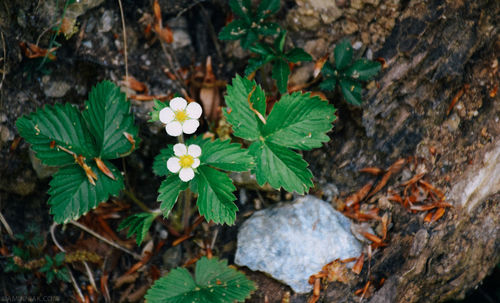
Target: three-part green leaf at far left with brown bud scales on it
<point x="81" y="144"/>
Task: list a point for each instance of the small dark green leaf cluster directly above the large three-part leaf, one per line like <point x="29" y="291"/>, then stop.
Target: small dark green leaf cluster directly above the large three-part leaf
<point x="276" y="55"/>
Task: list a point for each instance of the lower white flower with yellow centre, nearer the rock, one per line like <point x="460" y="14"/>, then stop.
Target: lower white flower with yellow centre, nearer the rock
<point x="187" y="158"/>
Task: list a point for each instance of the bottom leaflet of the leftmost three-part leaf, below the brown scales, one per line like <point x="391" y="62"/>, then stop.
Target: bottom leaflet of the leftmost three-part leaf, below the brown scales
<point x="72" y="195"/>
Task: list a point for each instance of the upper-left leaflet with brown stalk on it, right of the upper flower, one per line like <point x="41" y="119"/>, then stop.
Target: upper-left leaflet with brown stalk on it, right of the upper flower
<point x="238" y="113"/>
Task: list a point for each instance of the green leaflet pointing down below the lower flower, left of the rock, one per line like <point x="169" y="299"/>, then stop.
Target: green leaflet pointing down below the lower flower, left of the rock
<point x="215" y="195"/>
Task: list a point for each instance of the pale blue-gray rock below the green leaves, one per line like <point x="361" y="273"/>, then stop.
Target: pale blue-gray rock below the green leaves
<point x="292" y="241"/>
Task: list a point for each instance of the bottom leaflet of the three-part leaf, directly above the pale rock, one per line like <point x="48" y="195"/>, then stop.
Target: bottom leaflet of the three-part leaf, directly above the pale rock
<point x="280" y="167"/>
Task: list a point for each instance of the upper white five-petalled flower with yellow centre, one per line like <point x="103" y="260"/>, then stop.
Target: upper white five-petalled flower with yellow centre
<point x="180" y="117"/>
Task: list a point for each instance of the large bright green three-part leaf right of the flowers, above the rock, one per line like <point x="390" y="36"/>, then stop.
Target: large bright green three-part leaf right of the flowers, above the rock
<point x="297" y="122"/>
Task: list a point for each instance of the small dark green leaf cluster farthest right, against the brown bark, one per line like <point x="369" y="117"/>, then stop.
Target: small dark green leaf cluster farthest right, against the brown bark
<point x="347" y="74"/>
